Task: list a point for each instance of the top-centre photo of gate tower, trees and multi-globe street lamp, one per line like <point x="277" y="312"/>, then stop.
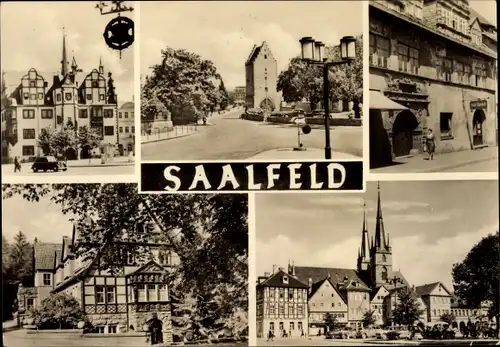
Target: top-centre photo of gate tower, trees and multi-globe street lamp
<point x="246" y="80"/>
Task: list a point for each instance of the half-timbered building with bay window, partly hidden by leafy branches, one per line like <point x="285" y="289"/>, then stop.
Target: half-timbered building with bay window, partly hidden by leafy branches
<point x="114" y="300"/>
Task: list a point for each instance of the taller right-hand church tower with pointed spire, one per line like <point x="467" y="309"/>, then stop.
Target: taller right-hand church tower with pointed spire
<point x="380" y="250"/>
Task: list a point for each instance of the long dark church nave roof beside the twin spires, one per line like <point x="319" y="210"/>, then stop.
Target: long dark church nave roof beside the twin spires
<point x="336" y="275"/>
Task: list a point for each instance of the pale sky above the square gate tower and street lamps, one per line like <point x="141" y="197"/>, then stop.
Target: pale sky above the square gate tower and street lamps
<point x="225" y="32"/>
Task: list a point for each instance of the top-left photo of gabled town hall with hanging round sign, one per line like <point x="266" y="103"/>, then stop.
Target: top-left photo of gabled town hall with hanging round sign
<point x="67" y="91"/>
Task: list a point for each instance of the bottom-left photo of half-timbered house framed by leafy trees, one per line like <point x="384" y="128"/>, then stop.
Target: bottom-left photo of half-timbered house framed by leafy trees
<point x="101" y="265"/>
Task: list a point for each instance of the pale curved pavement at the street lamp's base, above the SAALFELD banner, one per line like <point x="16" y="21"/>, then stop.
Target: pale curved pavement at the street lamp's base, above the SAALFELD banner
<point x="308" y="154"/>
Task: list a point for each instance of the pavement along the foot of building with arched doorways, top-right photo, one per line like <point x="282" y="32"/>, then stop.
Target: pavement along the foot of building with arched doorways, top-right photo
<point x="441" y="162"/>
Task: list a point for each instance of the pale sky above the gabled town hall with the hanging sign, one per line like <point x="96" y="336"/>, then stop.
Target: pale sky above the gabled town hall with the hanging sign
<point x="31" y="36"/>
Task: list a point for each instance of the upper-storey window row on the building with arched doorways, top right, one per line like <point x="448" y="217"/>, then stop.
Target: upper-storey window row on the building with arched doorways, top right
<point x="409" y="61"/>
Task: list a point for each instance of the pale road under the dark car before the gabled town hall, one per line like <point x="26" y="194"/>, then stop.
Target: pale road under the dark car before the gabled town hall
<point x="8" y="171"/>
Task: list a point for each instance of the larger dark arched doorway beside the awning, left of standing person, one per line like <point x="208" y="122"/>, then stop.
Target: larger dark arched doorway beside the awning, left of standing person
<point x="402" y="137"/>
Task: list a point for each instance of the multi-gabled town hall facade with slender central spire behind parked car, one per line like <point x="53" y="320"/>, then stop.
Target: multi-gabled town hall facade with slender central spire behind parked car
<point x="72" y="98"/>
